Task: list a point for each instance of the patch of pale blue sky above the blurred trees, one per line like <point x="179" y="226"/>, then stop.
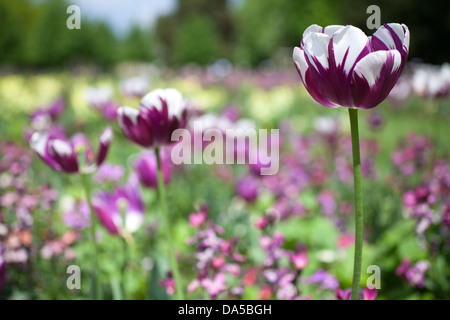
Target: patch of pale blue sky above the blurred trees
<point x="122" y="14"/>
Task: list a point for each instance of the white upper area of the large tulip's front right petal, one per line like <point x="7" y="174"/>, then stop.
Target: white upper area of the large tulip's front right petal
<point x="370" y="66"/>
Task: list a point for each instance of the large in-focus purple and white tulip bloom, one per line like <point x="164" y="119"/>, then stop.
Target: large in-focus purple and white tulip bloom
<point x="341" y="67"/>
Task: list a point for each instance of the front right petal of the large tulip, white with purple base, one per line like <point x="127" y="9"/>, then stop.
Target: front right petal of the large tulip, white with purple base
<point x="374" y="77"/>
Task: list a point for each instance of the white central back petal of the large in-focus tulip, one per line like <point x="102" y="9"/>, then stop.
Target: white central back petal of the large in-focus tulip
<point x="352" y="39"/>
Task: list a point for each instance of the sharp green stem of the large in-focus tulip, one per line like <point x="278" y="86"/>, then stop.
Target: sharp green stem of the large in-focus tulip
<point x="353" y="113"/>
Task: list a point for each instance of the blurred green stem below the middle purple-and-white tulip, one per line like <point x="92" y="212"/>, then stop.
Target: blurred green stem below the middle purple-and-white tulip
<point x="168" y="231"/>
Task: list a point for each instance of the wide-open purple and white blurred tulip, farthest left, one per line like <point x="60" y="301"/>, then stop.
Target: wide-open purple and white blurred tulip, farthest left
<point x="64" y="155"/>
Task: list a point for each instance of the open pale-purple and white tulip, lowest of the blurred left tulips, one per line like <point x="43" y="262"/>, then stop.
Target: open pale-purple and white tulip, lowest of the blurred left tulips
<point x="109" y="206"/>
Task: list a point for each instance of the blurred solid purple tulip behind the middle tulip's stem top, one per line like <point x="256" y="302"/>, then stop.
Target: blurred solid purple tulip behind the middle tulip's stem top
<point x="147" y="168"/>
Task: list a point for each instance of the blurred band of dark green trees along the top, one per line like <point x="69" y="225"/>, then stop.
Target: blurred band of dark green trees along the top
<point x="246" y="32"/>
